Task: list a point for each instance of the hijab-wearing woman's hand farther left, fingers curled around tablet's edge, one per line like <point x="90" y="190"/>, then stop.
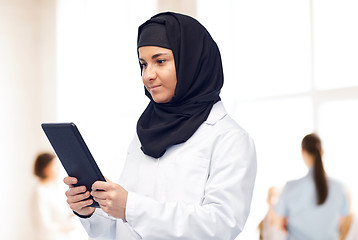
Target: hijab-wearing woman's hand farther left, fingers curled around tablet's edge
<point x="75" y="197"/>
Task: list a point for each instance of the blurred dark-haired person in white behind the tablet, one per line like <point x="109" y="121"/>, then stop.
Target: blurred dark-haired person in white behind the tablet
<point x="52" y="219"/>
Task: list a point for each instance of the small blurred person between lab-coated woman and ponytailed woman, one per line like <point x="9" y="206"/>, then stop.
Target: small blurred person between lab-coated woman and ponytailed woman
<point x="269" y="227"/>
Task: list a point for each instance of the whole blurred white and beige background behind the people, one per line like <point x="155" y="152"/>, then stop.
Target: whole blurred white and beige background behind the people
<point x="291" y="68"/>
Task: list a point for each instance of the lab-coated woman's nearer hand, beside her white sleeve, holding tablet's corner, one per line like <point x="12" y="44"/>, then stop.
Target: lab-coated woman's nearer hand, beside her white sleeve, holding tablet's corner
<point x="112" y="198"/>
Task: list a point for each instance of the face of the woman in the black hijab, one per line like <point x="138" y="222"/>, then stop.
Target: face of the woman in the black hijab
<point x="158" y="72"/>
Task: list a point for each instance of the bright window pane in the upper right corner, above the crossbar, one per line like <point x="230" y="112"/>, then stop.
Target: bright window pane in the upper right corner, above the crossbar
<point x="335" y="50"/>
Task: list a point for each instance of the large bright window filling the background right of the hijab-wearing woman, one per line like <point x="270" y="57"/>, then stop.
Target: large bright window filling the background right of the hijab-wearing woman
<point x="290" y="69"/>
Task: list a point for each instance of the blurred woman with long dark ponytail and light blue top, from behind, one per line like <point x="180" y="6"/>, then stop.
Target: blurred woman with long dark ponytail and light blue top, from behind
<point x="311" y="207"/>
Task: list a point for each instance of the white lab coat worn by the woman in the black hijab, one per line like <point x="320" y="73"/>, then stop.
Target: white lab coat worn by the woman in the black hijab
<point x="200" y="189"/>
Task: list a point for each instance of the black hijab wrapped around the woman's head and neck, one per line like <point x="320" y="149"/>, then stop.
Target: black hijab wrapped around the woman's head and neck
<point x="199" y="80"/>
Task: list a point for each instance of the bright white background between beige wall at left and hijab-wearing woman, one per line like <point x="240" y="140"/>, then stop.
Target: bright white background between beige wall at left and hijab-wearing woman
<point x="98" y="74"/>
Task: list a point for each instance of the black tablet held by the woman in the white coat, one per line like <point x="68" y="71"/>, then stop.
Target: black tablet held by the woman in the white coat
<point x="74" y="154"/>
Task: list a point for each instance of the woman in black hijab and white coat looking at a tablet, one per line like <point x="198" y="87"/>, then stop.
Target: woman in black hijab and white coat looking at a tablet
<point x="190" y="169"/>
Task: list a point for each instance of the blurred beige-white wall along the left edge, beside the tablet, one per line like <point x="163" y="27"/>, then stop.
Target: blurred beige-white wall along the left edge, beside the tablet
<point x="27" y="90"/>
